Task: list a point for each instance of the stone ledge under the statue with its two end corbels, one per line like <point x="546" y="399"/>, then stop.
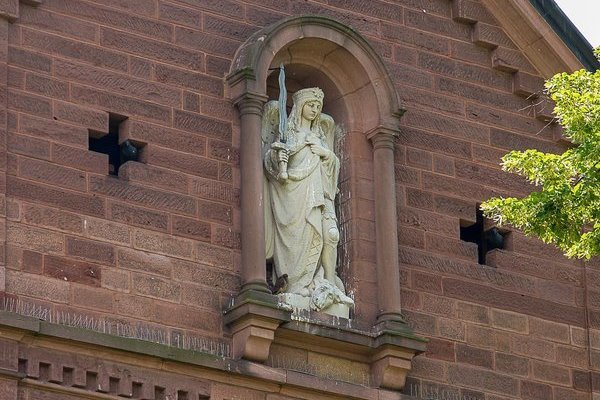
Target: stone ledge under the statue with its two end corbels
<point x="257" y="320"/>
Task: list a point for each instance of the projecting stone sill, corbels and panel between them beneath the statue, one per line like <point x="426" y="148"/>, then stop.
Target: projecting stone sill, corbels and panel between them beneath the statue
<point x="283" y="332"/>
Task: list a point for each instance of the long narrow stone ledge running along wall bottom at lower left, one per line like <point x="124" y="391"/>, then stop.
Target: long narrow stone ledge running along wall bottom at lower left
<point x="28" y="331"/>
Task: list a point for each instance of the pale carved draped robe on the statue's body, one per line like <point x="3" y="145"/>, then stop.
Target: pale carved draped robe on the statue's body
<point x="296" y="210"/>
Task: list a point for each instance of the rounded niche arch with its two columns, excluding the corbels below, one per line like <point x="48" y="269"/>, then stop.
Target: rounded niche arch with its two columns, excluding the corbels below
<point x="322" y="52"/>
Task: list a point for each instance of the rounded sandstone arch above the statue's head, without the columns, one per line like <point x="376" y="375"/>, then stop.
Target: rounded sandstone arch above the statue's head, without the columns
<point x="340" y="53"/>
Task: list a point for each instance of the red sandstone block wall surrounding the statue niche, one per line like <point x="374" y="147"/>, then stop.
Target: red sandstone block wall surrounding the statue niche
<point x="161" y="243"/>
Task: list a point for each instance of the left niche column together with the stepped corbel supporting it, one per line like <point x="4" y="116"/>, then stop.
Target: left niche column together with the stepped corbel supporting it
<point x="254" y="315"/>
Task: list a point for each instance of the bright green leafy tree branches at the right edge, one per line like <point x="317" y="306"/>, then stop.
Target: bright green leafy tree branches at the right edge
<point x="566" y="208"/>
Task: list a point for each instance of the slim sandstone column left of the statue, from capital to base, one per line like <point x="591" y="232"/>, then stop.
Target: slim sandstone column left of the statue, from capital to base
<point x="250" y="106"/>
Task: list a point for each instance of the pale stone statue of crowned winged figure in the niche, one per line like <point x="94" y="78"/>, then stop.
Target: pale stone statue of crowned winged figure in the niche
<point x="301" y="176"/>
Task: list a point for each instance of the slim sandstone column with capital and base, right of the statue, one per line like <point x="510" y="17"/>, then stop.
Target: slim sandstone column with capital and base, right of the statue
<point x="386" y="222"/>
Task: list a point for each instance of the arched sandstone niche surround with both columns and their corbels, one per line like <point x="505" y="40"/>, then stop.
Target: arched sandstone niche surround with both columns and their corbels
<point x="360" y="95"/>
